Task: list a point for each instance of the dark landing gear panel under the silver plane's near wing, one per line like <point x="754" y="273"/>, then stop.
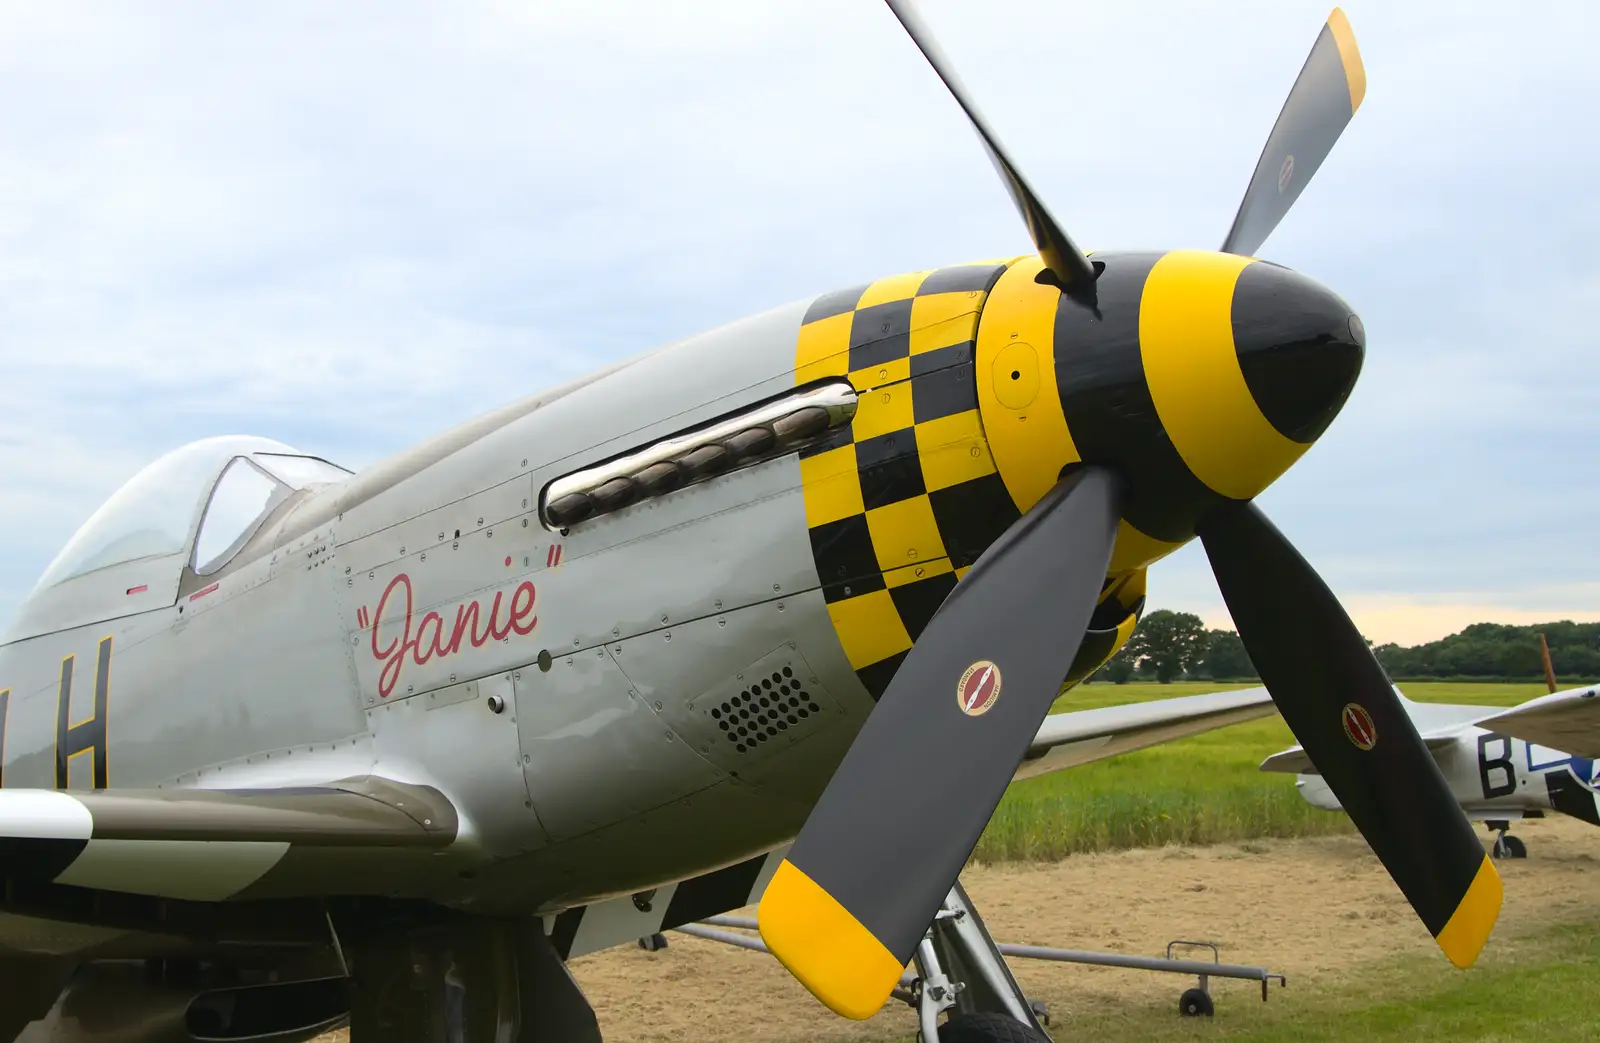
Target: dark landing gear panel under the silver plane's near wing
<point x="462" y="980"/>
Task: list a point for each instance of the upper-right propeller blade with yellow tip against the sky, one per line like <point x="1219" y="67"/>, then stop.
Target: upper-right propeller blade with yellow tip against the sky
<point x="1319" y="108"/>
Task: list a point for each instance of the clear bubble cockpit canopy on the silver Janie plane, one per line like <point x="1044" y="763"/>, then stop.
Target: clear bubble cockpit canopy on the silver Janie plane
<point x="202" y="502"/>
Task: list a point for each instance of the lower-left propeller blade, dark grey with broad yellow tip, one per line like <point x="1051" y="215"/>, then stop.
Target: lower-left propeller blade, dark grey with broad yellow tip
<point x="908" y="804"/>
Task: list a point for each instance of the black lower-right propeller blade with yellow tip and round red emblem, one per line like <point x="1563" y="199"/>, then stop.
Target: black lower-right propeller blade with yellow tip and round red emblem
<point x="1342" y="706"/>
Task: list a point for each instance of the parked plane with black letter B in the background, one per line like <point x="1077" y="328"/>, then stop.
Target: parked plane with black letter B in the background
<point x="1502" y="764"/>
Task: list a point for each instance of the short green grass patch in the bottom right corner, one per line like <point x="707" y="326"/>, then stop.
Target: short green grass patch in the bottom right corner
<point x="1540" y="986"/>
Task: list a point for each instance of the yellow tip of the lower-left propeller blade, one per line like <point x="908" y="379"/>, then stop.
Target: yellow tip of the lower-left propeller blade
<point x="818" y="941"/>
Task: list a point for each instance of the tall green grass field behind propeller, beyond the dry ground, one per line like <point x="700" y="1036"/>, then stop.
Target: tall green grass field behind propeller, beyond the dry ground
<point x="1206" y="789"/>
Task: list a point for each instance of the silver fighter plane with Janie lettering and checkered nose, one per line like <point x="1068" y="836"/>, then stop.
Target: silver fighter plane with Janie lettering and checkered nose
<point x="775" y="610"/>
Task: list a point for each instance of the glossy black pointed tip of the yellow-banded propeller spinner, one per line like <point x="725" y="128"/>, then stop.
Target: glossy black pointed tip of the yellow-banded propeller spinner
<point x="1300" y="348"/>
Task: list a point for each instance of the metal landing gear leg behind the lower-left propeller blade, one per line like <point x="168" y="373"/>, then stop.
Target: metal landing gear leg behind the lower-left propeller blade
<point x="962" y="972"/>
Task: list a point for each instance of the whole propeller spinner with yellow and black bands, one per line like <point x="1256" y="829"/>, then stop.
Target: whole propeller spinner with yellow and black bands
<point x="1201" y="380"/>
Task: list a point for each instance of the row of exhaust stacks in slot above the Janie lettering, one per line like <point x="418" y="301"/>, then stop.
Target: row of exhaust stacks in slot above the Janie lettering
<point x="746" y="439"/>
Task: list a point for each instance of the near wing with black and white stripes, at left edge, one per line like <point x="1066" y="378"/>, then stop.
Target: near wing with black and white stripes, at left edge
<point x="212" y="845"/>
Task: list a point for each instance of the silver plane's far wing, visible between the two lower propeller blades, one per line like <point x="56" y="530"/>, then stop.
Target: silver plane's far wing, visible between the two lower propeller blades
<point x="1082" y="737"/>
